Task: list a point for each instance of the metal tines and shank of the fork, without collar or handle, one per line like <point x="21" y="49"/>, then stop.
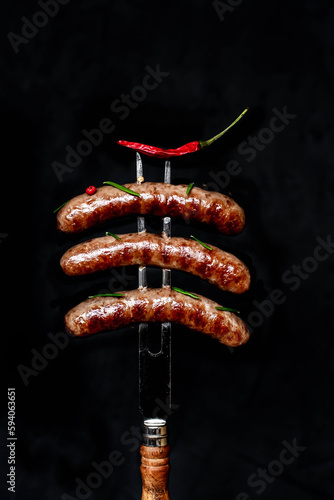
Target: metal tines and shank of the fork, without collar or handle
<point x="154" y="368"/>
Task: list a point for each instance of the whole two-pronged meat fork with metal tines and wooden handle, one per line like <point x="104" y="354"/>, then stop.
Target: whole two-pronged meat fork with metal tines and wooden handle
<point x="154" y="379"/>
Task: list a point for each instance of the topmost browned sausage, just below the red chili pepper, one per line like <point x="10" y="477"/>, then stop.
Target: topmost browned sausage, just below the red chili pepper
<point x="85" y="211"/>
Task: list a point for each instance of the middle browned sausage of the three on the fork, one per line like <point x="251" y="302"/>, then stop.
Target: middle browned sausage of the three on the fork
<point x="218" y="267"/>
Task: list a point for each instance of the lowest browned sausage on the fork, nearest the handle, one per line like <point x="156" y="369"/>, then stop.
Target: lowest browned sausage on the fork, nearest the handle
<point x="156" y="305"/>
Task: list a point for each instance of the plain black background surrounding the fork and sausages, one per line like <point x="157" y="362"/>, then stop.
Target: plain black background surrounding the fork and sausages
<point x="234" y="407"/>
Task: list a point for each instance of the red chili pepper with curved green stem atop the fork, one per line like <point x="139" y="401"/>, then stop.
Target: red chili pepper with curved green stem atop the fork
<point x="190" y="147"/>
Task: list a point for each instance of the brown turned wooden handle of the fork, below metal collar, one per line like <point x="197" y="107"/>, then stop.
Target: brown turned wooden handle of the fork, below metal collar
<point x="155" y="472"/>
